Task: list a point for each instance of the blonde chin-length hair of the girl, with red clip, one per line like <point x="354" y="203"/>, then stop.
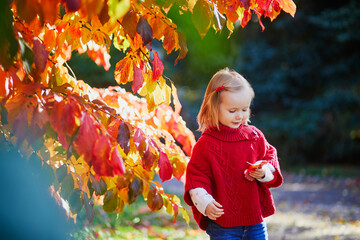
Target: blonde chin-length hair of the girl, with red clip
<point x="232" y="81"/>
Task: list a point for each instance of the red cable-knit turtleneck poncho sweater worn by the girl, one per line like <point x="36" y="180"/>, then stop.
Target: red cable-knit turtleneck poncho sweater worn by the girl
<point x="217" y="164"/>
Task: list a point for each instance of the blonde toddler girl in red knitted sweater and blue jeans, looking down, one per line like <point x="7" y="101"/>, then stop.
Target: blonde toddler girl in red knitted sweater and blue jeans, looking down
<point x="232" y="166"/>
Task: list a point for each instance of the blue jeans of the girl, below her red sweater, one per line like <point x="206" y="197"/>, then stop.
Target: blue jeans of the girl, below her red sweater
<point x="251" y="232"/>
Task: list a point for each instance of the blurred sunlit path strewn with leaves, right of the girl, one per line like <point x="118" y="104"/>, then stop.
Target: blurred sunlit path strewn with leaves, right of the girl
<point x="311" y="208"/>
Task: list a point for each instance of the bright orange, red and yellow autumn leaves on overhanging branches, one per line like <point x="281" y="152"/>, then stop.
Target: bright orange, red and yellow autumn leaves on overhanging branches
<point x="104" y="146"/>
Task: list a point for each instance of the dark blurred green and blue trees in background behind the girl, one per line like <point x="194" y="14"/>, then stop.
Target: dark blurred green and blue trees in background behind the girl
<point x="305" y="72"/>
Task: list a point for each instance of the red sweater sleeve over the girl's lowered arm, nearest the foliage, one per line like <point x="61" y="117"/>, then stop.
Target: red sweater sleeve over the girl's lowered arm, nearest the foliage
<point x="198" y="172"/>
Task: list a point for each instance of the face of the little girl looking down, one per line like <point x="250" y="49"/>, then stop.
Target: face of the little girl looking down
<point x="234" y="108"/>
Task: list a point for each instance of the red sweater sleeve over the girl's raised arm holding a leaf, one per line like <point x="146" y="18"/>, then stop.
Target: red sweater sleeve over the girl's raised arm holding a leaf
<point x="268" y="152"/>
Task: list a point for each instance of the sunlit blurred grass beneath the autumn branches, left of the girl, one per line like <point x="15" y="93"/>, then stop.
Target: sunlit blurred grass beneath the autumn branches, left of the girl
<point x="135" y="222"/>
